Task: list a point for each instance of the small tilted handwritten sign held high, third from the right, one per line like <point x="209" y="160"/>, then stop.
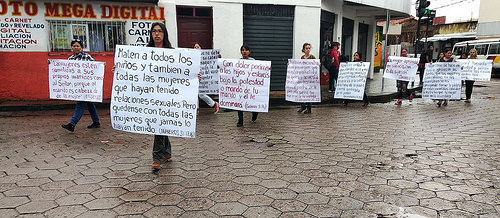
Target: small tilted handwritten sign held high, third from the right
<point x="401" y="68"/>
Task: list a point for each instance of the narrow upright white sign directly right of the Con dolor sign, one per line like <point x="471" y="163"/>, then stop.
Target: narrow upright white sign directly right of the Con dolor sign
<point x="302" y="81"/>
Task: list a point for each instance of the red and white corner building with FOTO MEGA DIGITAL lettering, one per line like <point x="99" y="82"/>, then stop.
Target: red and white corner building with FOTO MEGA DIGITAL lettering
<point x="34" y="31"/>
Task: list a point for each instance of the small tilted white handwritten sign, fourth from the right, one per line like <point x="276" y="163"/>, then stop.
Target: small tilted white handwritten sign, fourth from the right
<point x="352" y="80"/>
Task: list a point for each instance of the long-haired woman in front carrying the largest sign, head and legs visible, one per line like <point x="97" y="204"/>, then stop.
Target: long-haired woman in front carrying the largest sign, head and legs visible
<point x="162" y="150"/>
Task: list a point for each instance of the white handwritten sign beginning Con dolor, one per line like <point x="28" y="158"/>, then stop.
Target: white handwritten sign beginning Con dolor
<point x="244" y="84"/>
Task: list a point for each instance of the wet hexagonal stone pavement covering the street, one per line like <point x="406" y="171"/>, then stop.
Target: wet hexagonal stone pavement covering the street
<point x="413" y="160"/>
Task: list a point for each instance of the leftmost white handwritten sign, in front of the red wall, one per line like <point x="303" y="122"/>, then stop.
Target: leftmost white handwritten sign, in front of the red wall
<point x="76" y="80"/>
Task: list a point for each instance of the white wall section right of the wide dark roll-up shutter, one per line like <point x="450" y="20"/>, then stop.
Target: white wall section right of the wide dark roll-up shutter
<point x="306" y="29"/>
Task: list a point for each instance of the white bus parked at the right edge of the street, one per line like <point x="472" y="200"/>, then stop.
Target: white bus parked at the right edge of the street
<point x="487" y="49"/>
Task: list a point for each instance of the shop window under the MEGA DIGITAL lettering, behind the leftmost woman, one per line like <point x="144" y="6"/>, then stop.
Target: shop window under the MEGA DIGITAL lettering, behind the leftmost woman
<point x="97" y="36"/>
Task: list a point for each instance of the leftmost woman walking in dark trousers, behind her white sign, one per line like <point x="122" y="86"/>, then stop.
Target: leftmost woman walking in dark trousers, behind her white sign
<point x="80" y="55"/>
